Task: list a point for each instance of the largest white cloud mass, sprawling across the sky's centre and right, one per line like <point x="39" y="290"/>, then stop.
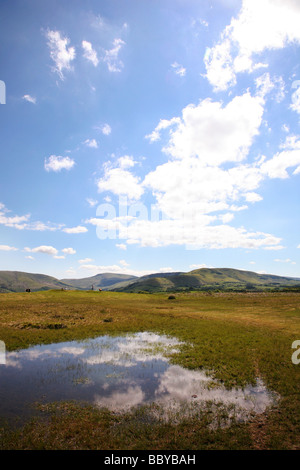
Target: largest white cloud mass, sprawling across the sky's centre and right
<point x="207" y="178"/>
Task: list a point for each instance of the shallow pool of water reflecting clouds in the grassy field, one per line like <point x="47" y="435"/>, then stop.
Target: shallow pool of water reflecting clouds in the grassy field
<point x="117" y="373"/>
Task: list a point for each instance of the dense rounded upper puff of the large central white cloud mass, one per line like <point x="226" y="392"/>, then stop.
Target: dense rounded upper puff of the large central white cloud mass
<point x="235" y="124"/>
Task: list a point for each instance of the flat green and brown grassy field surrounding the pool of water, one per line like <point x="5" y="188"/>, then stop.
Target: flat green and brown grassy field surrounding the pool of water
<point x="237" y="336"/>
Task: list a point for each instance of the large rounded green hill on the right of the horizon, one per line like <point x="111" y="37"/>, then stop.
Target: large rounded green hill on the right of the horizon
<point x="210" y="279"/>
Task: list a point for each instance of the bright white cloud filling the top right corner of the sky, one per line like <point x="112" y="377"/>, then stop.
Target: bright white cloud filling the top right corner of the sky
<point x="261" y="25"/>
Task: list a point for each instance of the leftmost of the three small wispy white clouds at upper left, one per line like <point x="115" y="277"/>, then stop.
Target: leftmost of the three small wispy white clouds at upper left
<point x="60" y="53"/>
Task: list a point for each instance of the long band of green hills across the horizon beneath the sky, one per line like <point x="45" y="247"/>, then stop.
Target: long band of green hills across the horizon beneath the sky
<point x="199" y="279"/>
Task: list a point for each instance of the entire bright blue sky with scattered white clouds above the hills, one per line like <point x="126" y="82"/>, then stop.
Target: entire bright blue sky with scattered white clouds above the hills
<point x="141" y="136"/>
